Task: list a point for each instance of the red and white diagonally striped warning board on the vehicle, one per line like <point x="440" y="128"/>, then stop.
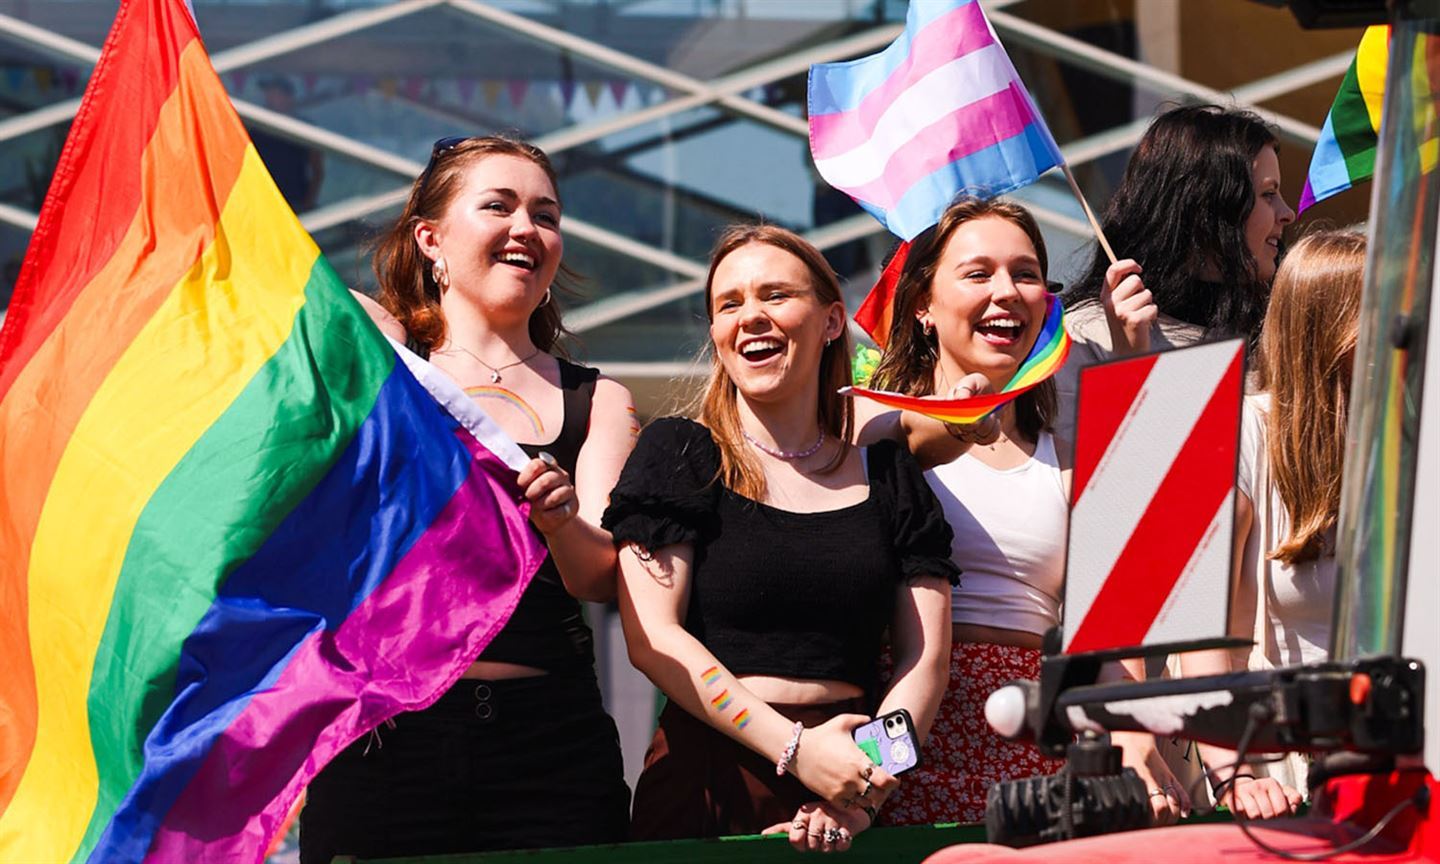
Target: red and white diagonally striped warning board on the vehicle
<point x="1154" y="499"/>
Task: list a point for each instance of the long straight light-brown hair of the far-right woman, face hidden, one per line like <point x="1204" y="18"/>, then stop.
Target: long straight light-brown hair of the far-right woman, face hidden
<point x="1307" y="356"/>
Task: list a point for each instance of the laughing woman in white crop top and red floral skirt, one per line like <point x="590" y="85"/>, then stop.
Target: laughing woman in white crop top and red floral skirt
<point x="973" y="300"/>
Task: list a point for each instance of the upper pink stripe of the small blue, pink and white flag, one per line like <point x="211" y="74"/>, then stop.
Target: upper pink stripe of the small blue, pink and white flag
<point x="950" y="37"/>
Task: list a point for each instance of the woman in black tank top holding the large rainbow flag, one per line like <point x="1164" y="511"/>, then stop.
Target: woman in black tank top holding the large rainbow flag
<point x="521" y="751"/>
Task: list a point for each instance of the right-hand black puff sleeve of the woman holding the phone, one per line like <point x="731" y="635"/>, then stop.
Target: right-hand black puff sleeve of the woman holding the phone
<point x="922" y="536"/>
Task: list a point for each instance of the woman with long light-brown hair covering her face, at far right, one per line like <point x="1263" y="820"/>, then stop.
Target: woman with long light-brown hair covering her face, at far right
<point x="1292" y="454"/>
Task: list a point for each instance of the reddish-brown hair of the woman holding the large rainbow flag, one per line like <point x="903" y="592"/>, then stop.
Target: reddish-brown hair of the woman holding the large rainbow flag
<point x="408" y="287"/>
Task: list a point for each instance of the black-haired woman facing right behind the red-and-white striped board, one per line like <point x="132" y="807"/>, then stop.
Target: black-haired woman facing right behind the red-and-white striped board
<point x="1199" y="217"/>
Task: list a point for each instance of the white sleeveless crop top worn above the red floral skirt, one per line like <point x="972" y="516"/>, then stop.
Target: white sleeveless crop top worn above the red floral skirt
<point x="1010" y="539"/>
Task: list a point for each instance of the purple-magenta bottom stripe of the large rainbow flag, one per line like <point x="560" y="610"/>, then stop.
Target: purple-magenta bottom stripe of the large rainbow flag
<point x="326" y="698"/>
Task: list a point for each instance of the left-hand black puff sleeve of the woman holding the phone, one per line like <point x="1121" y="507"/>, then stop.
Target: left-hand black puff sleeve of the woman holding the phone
<point x="667" y="492"/>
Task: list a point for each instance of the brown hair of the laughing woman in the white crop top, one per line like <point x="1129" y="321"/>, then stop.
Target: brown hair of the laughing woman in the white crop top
<point x="908" y="365"/>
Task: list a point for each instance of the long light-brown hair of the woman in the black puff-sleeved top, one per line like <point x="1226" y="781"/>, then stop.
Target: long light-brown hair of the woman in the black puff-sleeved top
<point x="719" y="405"/>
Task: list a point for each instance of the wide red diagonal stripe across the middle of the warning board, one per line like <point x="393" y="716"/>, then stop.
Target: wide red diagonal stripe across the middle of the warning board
<point x="1167" y="536"/>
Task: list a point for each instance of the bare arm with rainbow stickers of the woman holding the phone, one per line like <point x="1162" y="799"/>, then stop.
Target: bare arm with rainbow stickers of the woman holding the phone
<point x="653" y="597"/>
